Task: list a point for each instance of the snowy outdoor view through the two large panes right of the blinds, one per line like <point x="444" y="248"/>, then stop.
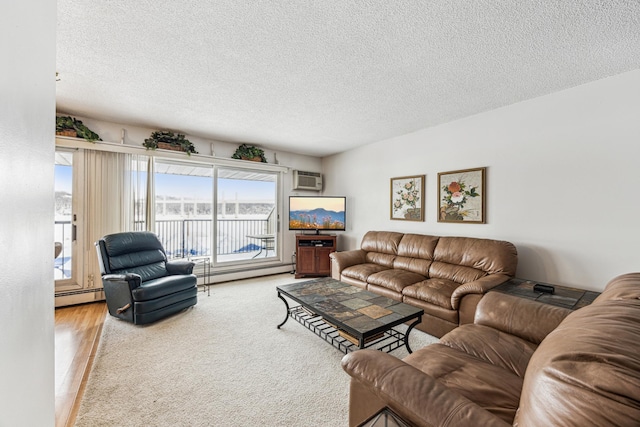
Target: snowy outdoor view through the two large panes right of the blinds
<point x="184" y="215"/>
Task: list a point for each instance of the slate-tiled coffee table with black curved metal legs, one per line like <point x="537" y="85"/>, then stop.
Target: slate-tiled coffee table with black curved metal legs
<point x="348" y="317"/>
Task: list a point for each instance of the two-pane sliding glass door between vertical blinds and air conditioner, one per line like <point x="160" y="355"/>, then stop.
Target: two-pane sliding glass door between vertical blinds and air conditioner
<point x="243" y="228"/>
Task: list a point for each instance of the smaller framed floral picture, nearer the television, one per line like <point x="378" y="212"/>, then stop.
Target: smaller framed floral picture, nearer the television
<point x="407" y="198"/>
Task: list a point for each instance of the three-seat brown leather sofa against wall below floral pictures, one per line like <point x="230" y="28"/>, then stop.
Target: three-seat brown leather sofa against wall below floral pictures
<point x="444" y="276"/>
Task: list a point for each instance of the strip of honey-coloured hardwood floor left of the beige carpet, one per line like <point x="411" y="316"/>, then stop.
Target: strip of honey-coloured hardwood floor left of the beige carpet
<point x="77" y="332"/>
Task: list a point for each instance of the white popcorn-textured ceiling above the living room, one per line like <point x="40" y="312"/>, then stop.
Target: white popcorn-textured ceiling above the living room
<point x="320" y="77"/>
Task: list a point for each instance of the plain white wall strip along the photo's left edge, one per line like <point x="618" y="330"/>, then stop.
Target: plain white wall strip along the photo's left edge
<point x="27" y="109"/>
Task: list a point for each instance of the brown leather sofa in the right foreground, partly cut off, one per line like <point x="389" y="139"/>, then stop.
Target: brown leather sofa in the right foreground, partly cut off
<point x="521" y="363"/>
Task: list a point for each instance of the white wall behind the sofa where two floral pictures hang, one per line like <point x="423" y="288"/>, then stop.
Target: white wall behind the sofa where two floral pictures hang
<point x="562" y="180"/>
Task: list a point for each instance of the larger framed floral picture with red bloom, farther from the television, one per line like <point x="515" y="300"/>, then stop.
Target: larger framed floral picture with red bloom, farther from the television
<point x="461" y="196"/>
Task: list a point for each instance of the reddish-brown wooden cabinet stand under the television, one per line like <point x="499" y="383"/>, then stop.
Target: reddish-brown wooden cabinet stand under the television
<point x="312" y="254"/>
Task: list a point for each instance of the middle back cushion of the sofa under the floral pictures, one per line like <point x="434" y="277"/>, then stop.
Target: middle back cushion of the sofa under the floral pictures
<point x="415" y="253"/>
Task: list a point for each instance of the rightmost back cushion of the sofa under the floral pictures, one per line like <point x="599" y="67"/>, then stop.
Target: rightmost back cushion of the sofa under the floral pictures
<point x="465" y="259"/>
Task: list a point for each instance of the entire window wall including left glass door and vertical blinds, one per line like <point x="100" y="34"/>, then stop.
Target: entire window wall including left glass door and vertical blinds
<point x="219" y="210"/>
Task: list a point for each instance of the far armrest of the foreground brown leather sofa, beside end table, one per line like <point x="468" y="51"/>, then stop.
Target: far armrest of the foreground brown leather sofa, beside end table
<point x="524" y="318"/>
